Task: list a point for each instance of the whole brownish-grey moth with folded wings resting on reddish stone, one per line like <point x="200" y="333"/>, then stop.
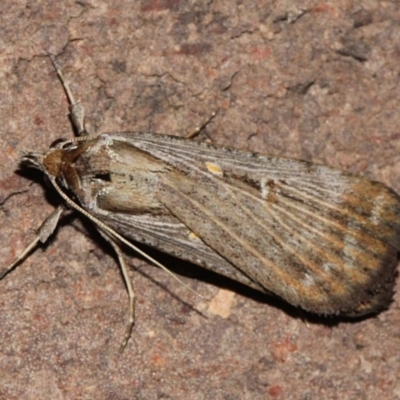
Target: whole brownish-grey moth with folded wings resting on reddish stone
<point x="322" y="239"/>
